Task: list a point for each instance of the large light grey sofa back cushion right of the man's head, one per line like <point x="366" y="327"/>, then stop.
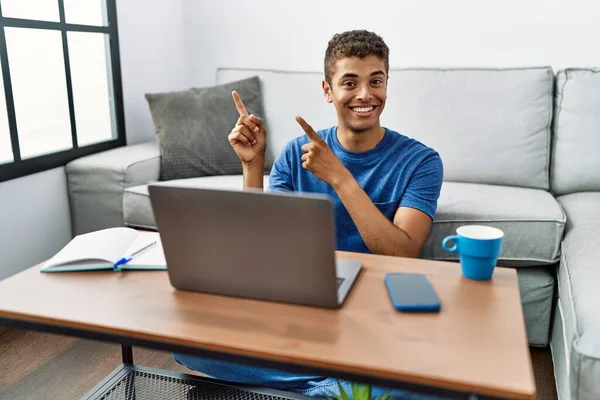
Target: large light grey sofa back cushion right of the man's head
<point x="489" y="125"/>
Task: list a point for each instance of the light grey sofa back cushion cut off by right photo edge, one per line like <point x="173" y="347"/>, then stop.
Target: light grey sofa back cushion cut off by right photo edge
<point x="575" y="161"/>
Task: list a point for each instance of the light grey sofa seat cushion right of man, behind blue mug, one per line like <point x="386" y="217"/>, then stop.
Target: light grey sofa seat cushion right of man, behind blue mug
<point x="531" y="219"/>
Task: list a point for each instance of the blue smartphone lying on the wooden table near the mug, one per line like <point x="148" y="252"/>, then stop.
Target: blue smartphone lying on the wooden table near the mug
<point x="412" y="292"/>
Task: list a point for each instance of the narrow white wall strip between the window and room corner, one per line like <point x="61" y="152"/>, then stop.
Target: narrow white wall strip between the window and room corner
<point x="153" y="54"/>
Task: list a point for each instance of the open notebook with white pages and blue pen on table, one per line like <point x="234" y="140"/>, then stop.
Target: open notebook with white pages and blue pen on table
<point x="112" y="248"/>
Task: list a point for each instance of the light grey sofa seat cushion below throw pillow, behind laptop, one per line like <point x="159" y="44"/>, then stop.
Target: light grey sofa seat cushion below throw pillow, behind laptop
<point x="137" y="209"/>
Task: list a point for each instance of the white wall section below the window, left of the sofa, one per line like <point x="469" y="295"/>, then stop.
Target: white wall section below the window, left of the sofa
<point x="35" y="219"/>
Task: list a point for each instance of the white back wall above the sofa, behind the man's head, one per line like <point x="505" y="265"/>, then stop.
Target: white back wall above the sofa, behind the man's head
<point x="293" y="34"/>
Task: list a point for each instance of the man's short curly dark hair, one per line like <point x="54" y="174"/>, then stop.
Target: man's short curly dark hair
<point x="359" y="43"/>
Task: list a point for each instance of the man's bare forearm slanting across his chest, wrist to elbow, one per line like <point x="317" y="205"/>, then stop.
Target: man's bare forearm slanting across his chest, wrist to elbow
<point x="379" y="234"/>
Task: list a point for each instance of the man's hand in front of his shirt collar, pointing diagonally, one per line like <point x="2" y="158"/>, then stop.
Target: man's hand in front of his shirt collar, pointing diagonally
<point x="319" y="159"/>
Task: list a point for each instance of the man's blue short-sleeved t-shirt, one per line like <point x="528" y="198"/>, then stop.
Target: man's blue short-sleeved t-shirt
<point x="398" y="172"/>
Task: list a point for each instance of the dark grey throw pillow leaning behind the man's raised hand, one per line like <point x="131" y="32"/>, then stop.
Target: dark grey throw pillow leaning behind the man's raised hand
<point x="193" y="125"/>
